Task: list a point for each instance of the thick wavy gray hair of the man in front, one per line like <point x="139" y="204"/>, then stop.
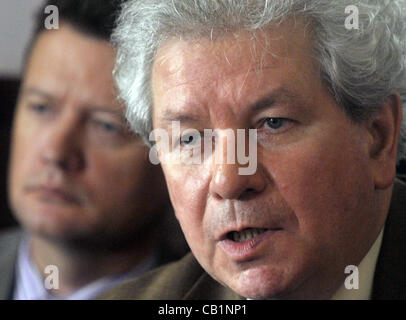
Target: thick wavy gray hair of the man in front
<point x="362" y="68"/>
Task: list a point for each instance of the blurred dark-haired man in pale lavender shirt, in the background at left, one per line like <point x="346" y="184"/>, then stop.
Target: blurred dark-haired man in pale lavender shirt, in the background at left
<point x="80" y="183"/>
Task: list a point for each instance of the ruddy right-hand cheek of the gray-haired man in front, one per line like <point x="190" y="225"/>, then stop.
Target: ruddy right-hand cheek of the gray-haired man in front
<point x="324" y="183"/>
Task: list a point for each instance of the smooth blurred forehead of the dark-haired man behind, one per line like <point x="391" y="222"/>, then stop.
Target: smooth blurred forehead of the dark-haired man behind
<point x="59" y="75"/>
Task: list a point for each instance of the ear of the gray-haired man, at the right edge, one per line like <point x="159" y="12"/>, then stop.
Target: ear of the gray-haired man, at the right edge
<point x="384" y="129"/>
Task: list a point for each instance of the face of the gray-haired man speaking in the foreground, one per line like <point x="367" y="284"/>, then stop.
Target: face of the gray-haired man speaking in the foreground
<point x="289" y="229"/>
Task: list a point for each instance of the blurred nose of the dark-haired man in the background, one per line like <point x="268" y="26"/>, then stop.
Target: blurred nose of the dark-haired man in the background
<point x="61" y="147"/>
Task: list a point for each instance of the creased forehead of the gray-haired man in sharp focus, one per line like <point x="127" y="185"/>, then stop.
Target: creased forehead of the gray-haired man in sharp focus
<point x="193" y="75"/>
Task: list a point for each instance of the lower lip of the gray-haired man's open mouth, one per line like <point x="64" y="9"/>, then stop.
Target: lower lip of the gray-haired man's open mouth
<point x="246" y="250"/>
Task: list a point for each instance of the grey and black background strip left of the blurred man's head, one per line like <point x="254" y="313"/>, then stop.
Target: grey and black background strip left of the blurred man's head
<point x="16" y="24"/>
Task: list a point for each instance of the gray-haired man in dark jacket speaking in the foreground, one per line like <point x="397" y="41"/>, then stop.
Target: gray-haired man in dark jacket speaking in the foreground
<point x="322" y="83"/>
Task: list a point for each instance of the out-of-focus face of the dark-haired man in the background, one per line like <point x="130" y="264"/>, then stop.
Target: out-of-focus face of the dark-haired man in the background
<point x="75" y="170"/>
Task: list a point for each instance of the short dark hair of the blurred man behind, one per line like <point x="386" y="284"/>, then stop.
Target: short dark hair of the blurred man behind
<point x="95" y="18"/>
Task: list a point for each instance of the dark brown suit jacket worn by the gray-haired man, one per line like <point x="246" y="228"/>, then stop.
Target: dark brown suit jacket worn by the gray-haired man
<point x="186" y="280"/>
